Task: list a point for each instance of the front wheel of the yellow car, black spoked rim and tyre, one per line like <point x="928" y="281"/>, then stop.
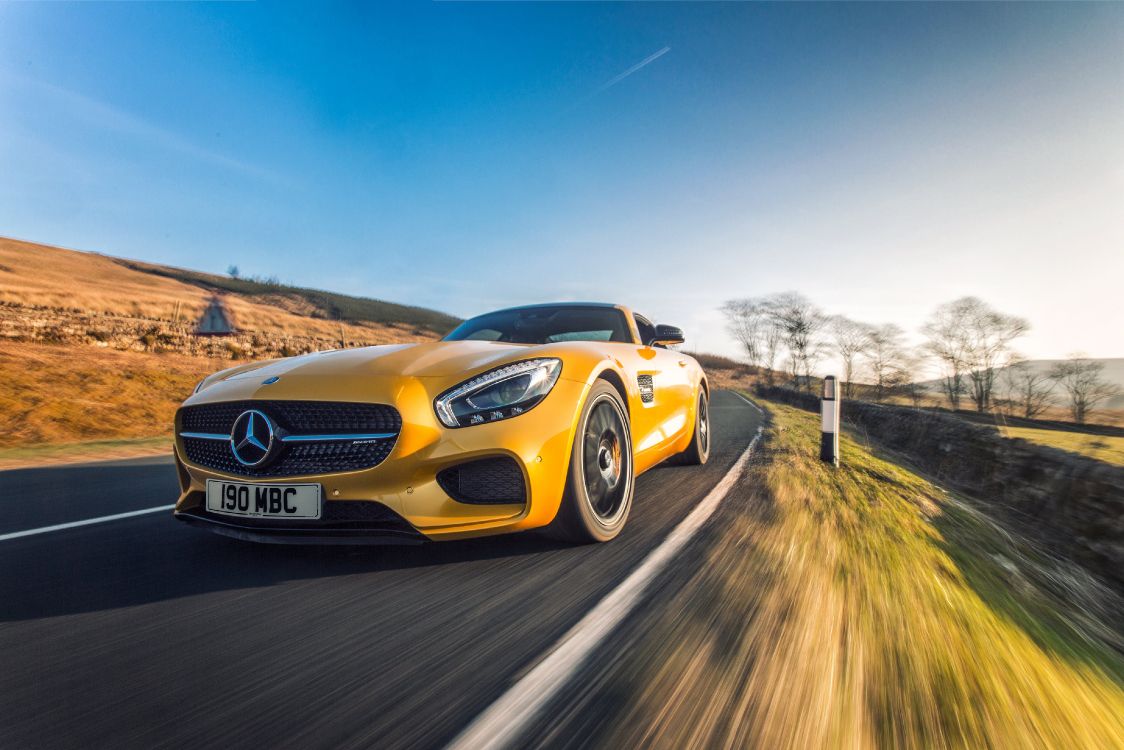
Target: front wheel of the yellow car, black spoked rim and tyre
<point x="601" y="480"/>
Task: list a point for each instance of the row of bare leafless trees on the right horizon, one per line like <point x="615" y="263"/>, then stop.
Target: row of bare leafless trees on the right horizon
<point x="972" y="344"/>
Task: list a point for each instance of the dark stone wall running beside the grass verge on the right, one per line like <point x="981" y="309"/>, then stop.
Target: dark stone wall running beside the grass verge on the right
<point x="1072" y="504"/>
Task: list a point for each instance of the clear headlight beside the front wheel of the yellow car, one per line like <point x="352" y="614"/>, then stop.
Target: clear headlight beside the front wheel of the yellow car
<point x="500" y="394"/>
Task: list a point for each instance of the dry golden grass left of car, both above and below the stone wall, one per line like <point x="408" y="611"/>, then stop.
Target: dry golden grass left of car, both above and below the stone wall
<point x="58" y="402"/>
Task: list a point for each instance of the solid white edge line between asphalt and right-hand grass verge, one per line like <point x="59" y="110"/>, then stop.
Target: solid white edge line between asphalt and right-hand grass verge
<point x="503" y="724"/>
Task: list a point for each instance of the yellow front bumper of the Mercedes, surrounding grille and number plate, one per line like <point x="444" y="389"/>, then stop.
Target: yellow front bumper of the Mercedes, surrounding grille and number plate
<point x="406" y="483"/>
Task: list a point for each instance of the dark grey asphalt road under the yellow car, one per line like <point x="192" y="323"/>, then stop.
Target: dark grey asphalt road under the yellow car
<point x="144" y="632"/>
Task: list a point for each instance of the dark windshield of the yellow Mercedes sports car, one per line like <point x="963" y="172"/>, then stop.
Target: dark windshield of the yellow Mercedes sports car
<point x="547" y="326"/>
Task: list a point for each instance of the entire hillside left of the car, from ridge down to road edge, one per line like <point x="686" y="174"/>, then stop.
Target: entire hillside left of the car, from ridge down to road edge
<point x="98" y="353"/>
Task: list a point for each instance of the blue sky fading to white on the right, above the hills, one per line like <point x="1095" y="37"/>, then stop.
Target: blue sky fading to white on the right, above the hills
<point x="882" y="159"/>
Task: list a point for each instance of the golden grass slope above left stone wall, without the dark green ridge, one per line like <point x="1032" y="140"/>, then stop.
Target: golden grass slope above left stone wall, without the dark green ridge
<point x="44" y="276"/>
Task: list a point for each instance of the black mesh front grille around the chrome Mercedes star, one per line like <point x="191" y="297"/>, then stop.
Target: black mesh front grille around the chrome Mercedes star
<point x="295" y="419"/>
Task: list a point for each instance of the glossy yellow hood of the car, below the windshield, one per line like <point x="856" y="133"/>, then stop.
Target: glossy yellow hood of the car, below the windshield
<point x="440" y="359"/>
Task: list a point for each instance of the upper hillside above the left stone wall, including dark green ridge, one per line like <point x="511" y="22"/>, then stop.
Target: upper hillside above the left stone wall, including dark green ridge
<point x="38" y="275"/>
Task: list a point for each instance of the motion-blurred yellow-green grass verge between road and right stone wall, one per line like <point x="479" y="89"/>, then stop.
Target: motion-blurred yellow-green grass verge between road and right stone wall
<point x="862" y="608"/>
